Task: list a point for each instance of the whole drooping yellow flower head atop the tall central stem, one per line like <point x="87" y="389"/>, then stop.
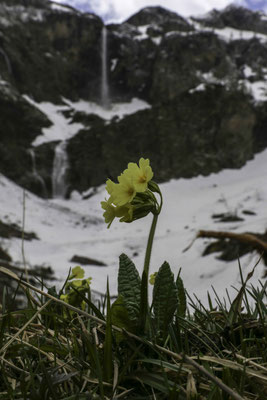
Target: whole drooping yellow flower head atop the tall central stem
<point x="131" y="198"/>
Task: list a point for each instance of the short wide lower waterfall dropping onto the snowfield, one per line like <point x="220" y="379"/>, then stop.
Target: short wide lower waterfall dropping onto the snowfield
<point x="59" y="174"/>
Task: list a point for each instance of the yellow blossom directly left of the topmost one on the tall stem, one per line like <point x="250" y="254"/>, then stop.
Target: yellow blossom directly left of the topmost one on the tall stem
<point x="123" y="192"/>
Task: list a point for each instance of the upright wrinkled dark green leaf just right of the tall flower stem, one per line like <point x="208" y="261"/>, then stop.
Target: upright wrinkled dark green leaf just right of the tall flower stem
<point x="164" y="298"/>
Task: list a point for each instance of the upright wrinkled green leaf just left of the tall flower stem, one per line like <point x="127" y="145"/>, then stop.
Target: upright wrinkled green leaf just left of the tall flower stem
<point x="129" y="287"/>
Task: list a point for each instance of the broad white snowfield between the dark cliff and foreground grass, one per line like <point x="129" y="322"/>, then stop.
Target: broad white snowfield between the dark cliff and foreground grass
<point x="76" y="227"/>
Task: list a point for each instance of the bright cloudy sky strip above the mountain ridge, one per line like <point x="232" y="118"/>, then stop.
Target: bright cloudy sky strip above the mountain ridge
<point x="119" y="10"/>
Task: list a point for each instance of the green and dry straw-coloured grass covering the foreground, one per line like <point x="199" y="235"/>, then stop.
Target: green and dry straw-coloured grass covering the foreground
<point x="53" y="350"/>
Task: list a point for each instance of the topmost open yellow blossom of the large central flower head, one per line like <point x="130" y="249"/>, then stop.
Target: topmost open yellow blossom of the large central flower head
<point x="140" y="175"/>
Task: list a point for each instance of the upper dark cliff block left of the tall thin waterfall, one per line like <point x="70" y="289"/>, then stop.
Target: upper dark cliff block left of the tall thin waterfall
<point x="52" y="51"/>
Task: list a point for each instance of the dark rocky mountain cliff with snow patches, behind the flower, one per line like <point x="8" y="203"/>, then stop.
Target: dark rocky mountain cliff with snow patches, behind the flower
<point x="204" y="82"/>
